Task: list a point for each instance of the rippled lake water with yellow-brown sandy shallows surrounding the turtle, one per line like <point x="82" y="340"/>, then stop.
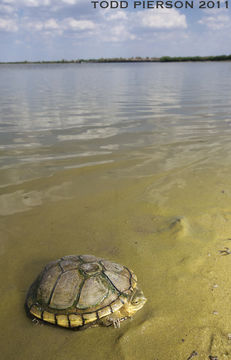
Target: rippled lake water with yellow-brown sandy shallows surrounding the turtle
<point x="131" y="162"/>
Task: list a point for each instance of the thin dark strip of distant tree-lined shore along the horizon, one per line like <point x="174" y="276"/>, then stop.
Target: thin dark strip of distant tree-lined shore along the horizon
<point x="137" y="59"/>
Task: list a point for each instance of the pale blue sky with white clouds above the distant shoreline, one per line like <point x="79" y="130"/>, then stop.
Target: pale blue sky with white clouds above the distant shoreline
<point x="73" y="29"/>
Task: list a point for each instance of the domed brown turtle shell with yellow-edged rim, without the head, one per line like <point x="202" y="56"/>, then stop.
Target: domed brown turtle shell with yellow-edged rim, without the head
<point x="79" y="289"/>
